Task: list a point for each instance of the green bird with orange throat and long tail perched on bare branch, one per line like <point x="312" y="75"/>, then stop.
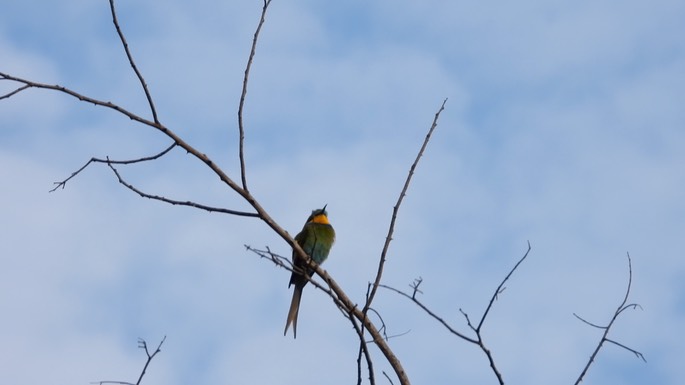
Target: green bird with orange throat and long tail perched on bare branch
<point x="316" y="238"/>
